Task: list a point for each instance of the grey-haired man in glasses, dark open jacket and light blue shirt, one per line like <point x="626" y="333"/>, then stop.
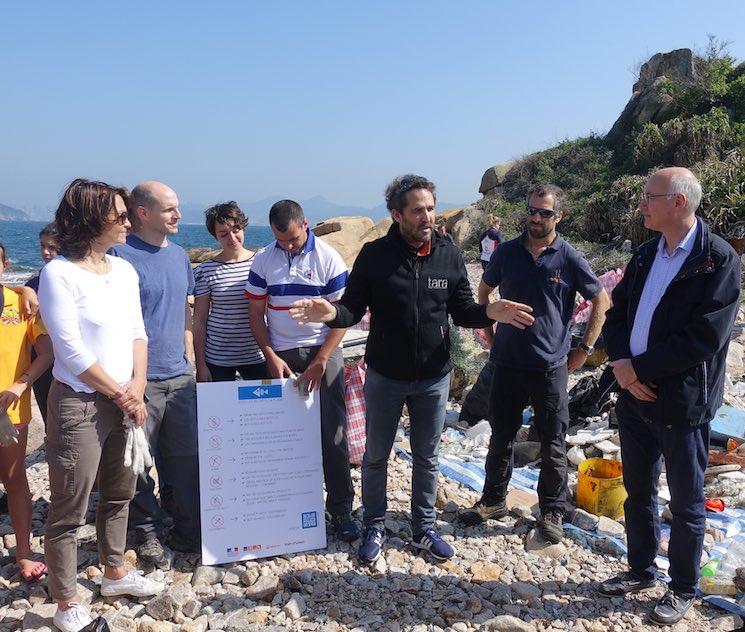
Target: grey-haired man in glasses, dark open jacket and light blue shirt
<point x="667" y="336"/>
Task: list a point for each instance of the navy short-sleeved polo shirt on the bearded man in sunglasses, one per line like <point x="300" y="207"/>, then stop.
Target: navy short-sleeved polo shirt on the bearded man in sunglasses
<point x="549" y="285"/>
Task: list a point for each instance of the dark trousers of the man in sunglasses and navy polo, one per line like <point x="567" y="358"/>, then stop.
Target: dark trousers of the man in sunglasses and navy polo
<point x="510" y="392"/>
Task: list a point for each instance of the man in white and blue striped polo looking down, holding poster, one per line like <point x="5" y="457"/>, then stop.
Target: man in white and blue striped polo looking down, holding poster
<point x="297" y="265"/>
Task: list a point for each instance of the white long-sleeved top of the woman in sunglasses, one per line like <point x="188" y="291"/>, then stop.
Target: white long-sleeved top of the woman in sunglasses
<point x="91" y="318"/>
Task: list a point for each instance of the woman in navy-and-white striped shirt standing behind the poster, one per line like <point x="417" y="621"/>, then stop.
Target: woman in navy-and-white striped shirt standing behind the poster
<point x="223" y="342"/>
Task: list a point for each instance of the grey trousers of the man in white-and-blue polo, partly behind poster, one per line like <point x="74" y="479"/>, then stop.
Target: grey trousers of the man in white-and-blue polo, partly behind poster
<point x="339" y="489"/>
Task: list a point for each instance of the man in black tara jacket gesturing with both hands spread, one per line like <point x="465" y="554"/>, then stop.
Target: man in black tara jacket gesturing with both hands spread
<point x="411" y="279"/>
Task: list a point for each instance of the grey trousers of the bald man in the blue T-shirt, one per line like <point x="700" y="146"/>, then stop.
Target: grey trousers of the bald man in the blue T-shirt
<point x="171" y="429"/>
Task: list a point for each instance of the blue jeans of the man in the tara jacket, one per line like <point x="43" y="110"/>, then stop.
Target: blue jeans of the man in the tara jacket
<point x="384" y="400"/>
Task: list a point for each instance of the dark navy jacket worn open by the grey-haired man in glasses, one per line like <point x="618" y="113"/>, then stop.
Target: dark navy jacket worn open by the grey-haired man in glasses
<point x="690" y="329"/>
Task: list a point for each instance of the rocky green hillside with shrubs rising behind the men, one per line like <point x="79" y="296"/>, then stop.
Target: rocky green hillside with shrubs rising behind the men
<point x="685" y="109"/>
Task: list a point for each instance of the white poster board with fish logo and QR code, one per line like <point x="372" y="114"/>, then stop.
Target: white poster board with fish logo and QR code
<point x="260" y="470"/>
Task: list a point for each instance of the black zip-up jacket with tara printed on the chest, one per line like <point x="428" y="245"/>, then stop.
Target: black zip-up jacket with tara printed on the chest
<point x="409" y="296"/>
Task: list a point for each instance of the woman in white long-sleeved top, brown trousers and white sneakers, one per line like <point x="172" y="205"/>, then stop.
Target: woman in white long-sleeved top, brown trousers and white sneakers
<point x="91" y="306"/>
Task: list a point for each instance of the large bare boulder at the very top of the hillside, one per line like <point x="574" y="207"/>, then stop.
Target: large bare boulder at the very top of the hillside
<point x="651" y="99"/>
